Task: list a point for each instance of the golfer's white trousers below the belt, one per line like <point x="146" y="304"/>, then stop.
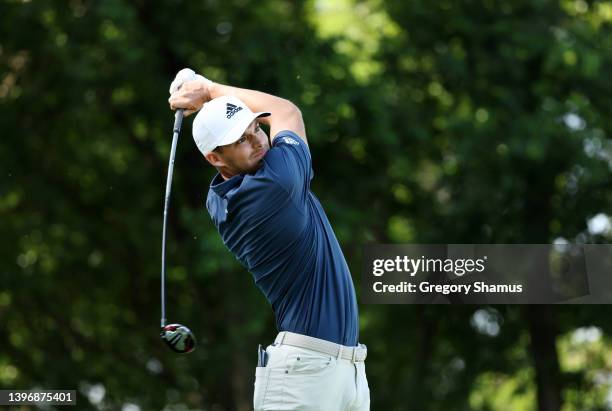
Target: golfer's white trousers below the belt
<point x="306" y="380"/>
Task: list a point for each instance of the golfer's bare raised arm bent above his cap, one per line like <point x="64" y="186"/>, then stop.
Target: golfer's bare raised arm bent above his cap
<point x="285" y="115"/>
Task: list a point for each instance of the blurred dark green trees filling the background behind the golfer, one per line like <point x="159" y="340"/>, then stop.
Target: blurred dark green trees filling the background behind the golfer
<point x="429" y="122"/>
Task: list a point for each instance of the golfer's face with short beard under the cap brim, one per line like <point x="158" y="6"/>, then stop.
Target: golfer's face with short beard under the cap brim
<point x="243" y="156"/>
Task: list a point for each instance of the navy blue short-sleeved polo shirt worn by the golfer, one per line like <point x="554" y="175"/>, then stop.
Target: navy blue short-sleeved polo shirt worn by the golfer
<point x="275" y="226"/>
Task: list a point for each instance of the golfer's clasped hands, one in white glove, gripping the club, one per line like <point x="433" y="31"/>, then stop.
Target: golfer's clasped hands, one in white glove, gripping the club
<point x="189" y="91"/>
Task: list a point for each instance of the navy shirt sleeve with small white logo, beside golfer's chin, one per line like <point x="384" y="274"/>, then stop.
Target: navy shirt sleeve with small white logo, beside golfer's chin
<point x="290" y="162"/>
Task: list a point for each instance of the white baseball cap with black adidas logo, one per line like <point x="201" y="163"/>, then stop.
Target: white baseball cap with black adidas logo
<point x="222" y="121"/>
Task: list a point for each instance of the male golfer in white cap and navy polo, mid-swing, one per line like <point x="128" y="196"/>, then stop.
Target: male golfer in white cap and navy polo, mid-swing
<point x="261" y="203"/>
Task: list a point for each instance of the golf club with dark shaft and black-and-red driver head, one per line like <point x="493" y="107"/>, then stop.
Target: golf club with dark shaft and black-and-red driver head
<point x="178" y="337"/>
